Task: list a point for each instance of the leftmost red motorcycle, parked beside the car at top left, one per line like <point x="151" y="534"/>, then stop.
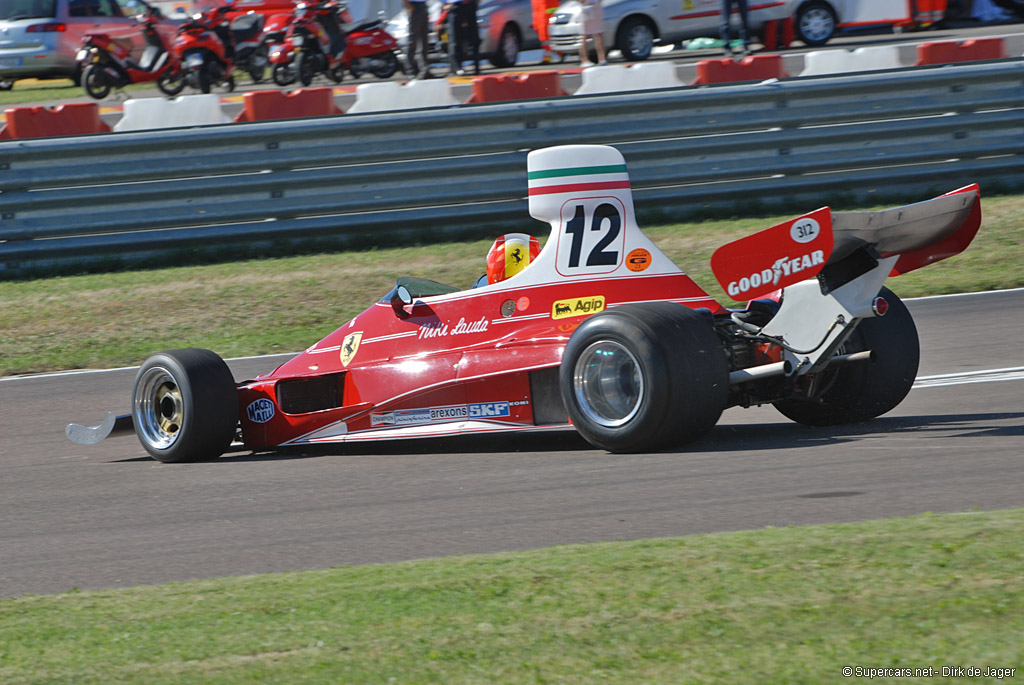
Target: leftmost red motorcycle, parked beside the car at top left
<point x="106" y="62"/>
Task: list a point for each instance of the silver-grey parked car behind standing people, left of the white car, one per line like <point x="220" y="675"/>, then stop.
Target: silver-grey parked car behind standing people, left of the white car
<point x="505" y="26"/>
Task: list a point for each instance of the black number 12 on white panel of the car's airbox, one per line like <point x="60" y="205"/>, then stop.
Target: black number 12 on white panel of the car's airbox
<point x="591" y="238"/>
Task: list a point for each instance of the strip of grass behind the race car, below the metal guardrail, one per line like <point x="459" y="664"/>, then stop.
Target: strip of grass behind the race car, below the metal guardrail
<point x="286" y="305"/>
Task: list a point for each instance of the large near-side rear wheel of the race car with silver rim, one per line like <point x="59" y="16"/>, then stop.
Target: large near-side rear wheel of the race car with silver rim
<point x="645" y="377"/>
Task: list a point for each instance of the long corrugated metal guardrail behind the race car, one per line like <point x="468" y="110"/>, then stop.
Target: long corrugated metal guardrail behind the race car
<point x="786" y="145"/>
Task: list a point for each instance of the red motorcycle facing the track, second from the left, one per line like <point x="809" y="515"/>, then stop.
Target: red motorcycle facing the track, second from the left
<point x="203" y="44"/>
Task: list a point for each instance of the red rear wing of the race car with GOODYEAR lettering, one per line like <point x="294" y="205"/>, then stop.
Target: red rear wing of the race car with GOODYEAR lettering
<point x="919" y="235"/>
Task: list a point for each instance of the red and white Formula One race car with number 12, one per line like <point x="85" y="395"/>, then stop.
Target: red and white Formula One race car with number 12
<point x="602" y="330"/>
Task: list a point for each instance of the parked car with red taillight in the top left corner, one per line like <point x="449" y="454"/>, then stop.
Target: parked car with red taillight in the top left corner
<point x="39" y="38"/>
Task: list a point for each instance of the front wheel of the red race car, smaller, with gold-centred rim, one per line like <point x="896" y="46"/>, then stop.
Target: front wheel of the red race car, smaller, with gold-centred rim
<point x="185" y="406"/>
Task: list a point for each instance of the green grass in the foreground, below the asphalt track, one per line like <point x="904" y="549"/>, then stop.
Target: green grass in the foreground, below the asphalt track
<point x="779" y="606"/>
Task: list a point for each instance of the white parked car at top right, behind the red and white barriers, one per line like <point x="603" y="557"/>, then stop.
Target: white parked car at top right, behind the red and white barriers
<point x="635" y="27"/>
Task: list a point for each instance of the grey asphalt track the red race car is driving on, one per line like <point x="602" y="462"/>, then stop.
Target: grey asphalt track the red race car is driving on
<point x="109" y="517"/>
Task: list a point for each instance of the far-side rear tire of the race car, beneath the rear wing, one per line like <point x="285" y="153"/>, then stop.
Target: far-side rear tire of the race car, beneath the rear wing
<point x="862" y="392"/>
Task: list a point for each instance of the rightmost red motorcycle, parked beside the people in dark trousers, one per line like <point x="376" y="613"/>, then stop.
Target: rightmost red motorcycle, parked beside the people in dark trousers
<point x="310" y="49"/>
